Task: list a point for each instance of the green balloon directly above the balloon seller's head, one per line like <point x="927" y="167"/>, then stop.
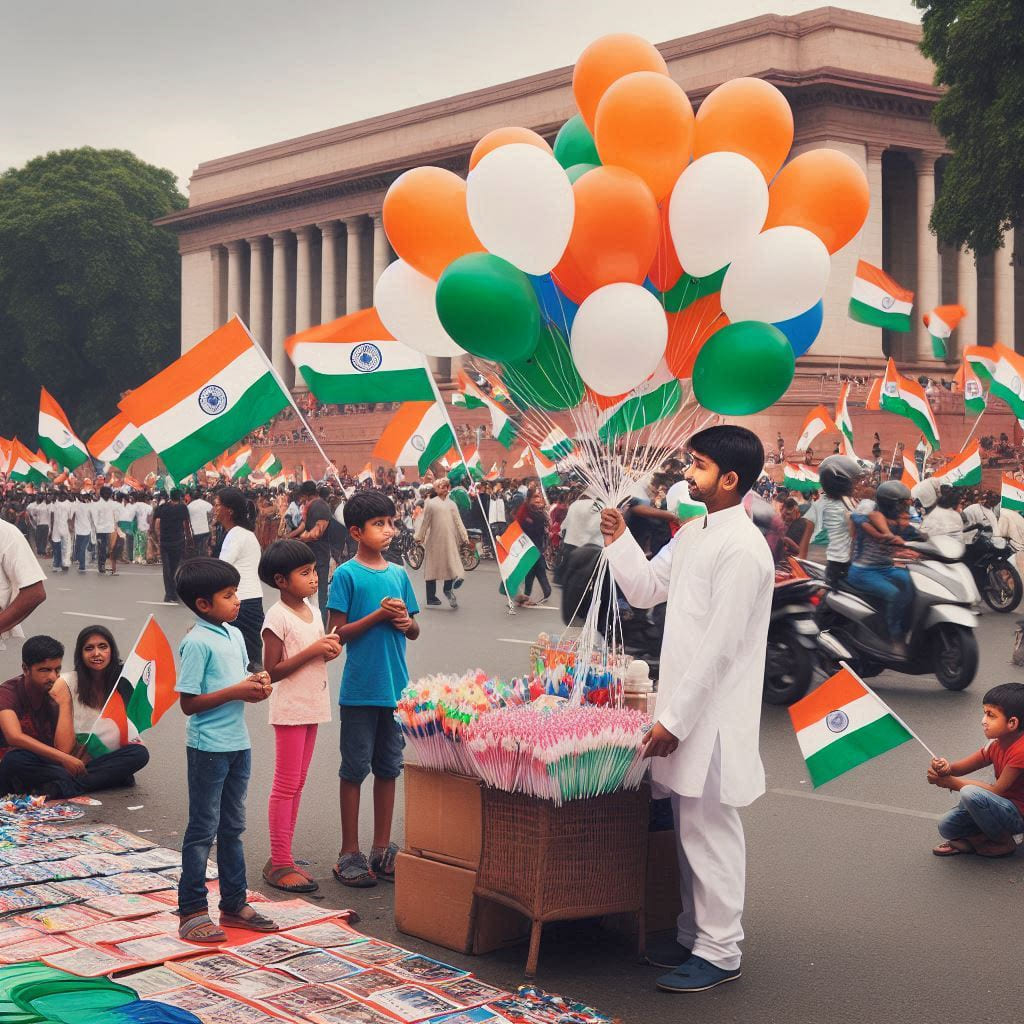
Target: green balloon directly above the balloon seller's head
<point x="743" y="369"/>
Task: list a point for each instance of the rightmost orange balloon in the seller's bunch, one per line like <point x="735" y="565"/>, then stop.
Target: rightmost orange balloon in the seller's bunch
<point x="824" y="191"/>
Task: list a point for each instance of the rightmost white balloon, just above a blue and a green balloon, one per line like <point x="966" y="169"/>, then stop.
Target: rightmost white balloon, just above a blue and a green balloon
<point x="780" y="276"/>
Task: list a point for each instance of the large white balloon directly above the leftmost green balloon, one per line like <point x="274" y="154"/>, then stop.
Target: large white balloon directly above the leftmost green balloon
<point x="522" y="206"/>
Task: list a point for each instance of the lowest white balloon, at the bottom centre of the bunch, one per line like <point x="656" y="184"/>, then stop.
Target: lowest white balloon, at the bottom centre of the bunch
<point x="619" y="338"/>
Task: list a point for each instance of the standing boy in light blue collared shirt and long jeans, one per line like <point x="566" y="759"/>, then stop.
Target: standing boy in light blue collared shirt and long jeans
<point x="216" y="686"/>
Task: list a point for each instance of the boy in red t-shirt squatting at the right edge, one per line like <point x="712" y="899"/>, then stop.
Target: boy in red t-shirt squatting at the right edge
<point x="990" y="816"/>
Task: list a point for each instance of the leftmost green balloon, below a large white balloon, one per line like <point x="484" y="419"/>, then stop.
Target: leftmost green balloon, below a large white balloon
<point x="489" y="308"/>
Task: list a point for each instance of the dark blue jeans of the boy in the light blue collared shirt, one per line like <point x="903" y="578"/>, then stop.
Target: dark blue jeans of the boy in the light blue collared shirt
<point x="218" y="786"/>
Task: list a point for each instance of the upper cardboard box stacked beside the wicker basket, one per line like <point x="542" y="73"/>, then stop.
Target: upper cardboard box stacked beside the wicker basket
<point x="443" y="817"/>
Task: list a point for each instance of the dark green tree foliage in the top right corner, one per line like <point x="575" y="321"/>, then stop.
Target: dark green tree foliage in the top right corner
<point x="978" y="51"/>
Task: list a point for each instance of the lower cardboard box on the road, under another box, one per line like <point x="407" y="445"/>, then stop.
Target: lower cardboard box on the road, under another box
<point x="433" y="902"/>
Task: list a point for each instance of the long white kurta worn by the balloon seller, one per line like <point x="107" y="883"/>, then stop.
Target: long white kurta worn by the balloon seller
<point x="717" y="576"/>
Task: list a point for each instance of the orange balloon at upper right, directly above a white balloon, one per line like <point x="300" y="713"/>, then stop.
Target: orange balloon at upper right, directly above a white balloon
<point x="746" y="116"/>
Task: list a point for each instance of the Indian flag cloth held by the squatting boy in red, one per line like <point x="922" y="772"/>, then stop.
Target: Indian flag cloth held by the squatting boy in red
<point x="842" y="724"/>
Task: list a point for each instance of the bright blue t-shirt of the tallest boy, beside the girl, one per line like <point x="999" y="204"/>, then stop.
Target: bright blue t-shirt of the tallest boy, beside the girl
<point x="375" y="671"/>
